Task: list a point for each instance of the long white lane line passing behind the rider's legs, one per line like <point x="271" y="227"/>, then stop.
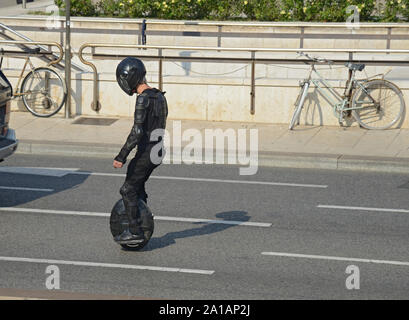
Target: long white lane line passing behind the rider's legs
<point x="268" y="183"/>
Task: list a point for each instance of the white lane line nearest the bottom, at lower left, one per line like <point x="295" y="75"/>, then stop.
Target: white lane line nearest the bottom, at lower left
<point x="106" y="265"/>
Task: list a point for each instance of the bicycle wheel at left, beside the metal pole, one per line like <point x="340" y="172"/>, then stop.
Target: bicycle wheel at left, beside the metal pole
<point x="44" y="92"/>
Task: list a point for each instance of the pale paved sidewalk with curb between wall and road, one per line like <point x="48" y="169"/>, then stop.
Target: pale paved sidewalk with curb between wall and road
<point x="305" y="147"/>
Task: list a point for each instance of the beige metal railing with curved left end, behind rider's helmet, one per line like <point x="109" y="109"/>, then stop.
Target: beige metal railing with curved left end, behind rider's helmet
<point x="252" y="59"/>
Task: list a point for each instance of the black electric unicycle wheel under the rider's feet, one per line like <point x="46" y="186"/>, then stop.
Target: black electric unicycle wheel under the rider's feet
<point x="119" y="223"/>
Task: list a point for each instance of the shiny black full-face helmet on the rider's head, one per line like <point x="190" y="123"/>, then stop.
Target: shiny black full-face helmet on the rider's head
<point x="129" y="73"/>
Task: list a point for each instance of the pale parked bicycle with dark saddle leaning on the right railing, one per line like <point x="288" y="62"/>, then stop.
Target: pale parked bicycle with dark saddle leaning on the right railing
<point x="374" y="103"/>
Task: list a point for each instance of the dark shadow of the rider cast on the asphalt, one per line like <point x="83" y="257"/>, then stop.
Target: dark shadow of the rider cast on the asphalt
<point x="206" y="228"/>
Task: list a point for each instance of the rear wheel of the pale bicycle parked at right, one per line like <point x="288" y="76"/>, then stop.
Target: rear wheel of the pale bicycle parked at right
<point x="379" y="104"/>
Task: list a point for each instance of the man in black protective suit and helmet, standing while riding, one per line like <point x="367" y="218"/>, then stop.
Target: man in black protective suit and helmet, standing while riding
<point x="151" y="111"/>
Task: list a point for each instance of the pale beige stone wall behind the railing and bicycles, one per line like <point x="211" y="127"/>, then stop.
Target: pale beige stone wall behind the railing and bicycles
<point x="218" y="91"/>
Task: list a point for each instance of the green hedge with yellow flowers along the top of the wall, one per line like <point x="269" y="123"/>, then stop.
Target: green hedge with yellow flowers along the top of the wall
<point x="261" y="10"/>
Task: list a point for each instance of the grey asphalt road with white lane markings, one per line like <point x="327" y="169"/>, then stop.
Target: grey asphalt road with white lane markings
<point x="280" y="234"/>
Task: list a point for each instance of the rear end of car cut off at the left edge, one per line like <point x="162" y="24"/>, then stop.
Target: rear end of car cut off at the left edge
<point x="8" y="141"/>
